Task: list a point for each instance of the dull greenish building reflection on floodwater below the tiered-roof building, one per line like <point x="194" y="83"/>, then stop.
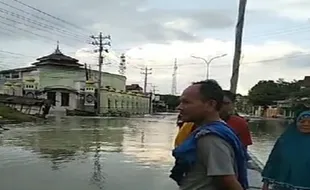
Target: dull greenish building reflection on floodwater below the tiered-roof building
<point x="73" y="138"/>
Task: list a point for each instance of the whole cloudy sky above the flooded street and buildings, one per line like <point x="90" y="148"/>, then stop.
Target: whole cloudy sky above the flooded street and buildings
<point x="156" y="33"/>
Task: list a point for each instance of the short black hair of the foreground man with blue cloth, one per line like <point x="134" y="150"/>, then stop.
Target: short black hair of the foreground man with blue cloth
<point x="211" y="90"/>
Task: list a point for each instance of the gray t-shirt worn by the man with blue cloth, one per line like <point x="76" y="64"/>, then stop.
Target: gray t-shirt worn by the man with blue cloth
<point x="215" y="158"/>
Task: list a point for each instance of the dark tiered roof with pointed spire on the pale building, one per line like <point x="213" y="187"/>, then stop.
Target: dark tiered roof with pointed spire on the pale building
<point x="57" y="58"/>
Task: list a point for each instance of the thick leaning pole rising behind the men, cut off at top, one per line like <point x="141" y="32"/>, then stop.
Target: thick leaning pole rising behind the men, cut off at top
<point x="238" y="46"/>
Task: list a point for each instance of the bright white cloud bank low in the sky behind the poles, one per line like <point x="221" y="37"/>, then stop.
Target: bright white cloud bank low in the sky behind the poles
<point x="269" y="60"/>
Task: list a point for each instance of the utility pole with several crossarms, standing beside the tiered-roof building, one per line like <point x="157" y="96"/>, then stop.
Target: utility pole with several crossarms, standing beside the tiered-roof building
<point x="98" y="41"/>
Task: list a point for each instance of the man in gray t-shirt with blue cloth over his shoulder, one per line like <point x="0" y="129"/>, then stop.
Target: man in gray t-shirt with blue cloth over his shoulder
<point x="212" y="157"/>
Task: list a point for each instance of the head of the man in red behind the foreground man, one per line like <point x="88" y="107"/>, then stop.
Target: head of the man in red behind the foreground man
<point x="228" y="103"/>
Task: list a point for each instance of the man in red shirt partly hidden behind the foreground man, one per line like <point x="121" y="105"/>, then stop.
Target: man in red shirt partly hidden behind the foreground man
<point x="237" y="123"/>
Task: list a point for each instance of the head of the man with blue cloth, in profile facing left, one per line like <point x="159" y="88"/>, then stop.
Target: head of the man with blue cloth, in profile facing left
<point x="201" y="101"/>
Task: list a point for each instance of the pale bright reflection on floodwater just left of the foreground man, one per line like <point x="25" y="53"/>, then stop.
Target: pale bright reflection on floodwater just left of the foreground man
<point x="150" y="142"/>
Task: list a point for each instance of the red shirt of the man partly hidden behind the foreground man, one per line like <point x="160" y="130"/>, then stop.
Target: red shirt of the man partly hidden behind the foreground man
<point x="241" y="128"/>
